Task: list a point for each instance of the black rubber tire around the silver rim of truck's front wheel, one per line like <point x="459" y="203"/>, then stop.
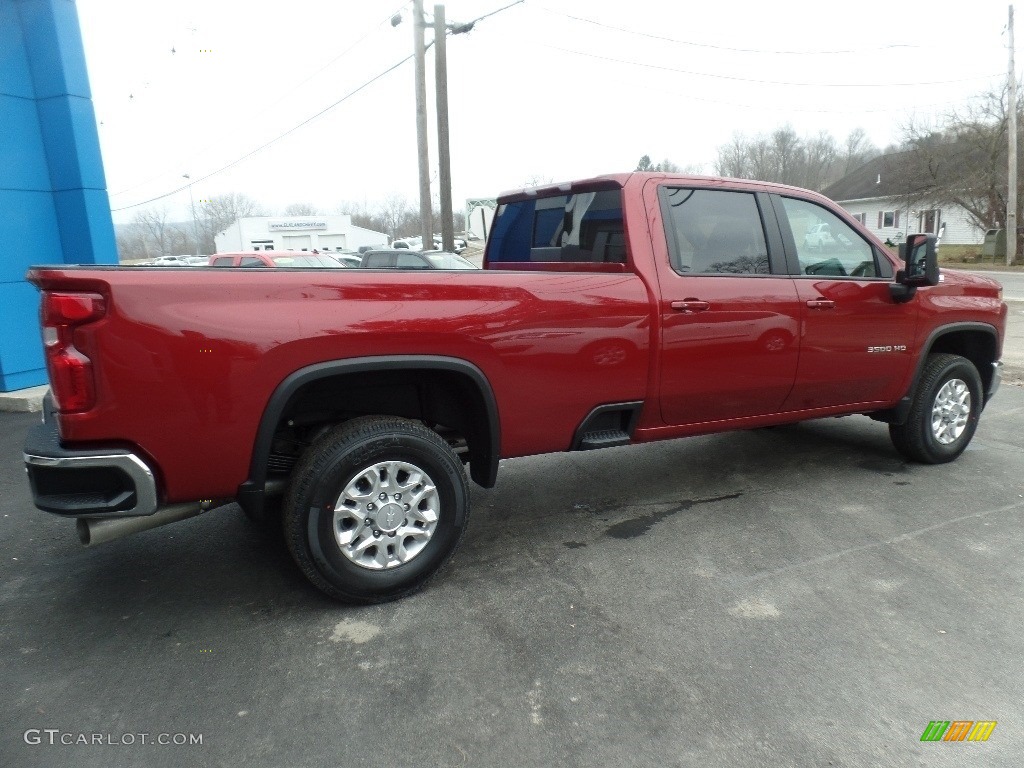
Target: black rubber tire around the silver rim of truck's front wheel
<point x="917" y="439"/>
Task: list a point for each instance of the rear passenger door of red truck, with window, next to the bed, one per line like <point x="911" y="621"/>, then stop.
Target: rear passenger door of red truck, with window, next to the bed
<point x="730" y="311"/>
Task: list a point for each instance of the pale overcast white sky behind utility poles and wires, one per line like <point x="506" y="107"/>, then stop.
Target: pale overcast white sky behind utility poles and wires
<point x="553" y="90"/>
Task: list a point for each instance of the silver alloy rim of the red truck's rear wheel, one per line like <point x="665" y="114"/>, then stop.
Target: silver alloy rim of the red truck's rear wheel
<point x="387" y="516"/>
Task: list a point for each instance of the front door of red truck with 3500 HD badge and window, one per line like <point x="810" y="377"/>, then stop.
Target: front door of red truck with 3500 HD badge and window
<point x="857" y="342"/>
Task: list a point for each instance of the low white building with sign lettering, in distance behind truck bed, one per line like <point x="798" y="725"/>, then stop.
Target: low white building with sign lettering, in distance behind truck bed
<point x="297" y="234"/>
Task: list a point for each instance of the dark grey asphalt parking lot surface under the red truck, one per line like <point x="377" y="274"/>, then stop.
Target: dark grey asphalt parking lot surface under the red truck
<point x="795" y="596"/>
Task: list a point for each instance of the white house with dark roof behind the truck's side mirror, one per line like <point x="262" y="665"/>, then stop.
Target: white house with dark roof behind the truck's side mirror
<point x="873" y="194"/>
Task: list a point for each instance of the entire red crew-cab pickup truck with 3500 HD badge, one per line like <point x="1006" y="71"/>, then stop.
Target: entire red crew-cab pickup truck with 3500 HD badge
<point x="343" y="405"/>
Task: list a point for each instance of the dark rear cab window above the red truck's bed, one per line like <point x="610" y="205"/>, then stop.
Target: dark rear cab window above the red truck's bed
<point x="583" y="229"/>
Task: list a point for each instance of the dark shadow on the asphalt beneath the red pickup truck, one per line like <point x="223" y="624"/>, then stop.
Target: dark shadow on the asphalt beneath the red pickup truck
<point x="221" y="563"/>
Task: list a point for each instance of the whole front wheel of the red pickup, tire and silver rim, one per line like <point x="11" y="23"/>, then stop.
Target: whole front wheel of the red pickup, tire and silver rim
<point x="945" y="412"/>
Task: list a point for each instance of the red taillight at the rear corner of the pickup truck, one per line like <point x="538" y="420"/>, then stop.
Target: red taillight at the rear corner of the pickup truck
<point x="71" y="371"/>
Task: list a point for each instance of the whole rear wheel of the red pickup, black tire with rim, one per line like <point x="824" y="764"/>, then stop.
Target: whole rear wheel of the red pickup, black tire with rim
<point x="331" y="467"/>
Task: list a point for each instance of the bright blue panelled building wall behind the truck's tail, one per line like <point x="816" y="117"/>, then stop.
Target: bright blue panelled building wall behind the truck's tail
<point x="54" y="205"/>
